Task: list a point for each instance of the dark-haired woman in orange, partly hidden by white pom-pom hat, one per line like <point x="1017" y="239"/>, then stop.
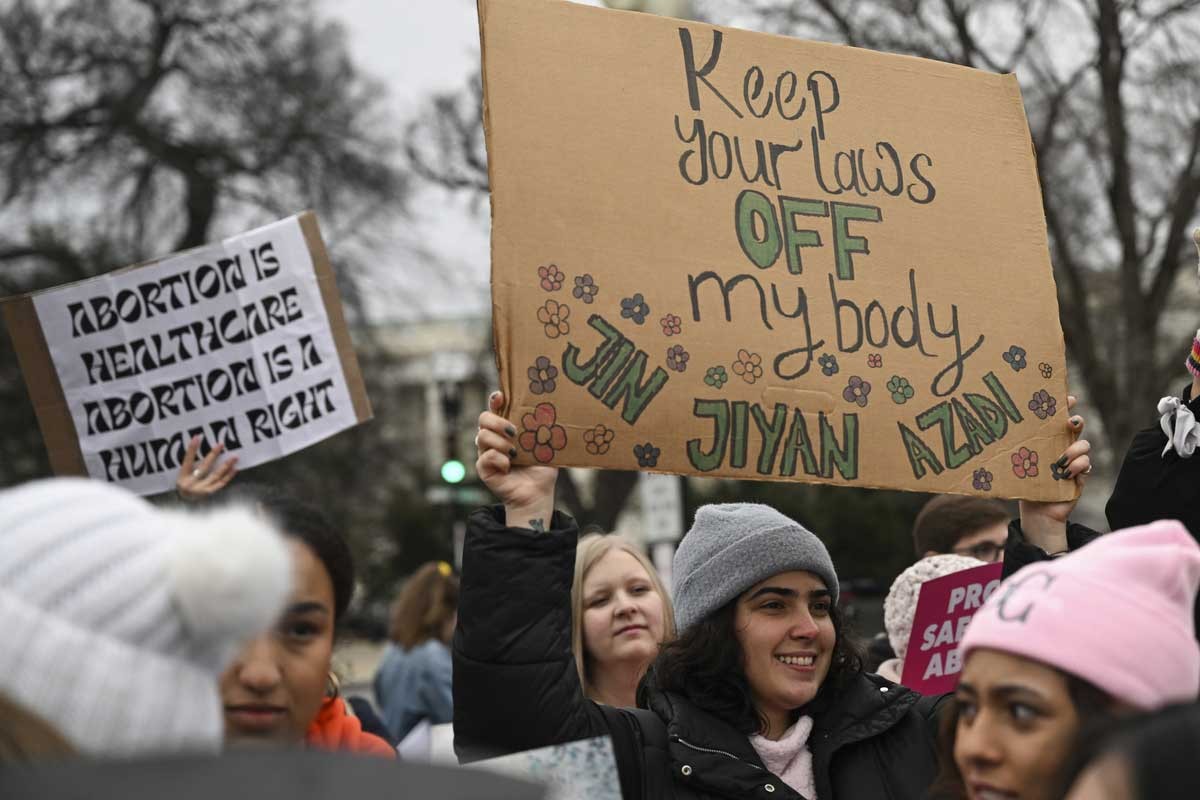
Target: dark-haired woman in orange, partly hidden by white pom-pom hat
<point x="280" y="690"/>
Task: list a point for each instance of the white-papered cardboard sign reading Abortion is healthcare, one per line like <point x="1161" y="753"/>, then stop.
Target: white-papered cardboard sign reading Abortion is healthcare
<point x="243" y="344"/>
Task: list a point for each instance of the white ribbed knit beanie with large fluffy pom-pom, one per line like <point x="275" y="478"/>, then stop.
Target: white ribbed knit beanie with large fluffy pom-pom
<point x="118" y="618"/>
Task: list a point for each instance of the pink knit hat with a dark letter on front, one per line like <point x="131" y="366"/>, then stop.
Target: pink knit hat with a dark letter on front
<point x="1118" y="613"/>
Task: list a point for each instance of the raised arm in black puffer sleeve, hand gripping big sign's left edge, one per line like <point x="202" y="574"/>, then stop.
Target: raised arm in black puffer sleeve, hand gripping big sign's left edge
<point x="515" y="684"/>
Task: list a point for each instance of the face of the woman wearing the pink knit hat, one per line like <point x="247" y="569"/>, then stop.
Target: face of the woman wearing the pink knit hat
<point x="1016" y="730"/>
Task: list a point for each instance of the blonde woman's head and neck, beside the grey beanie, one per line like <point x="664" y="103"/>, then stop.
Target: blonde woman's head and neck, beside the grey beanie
<point x="621" y="613"/>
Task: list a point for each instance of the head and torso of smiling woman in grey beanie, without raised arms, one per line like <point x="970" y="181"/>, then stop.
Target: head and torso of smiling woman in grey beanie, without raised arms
<point x="764" y="676"/>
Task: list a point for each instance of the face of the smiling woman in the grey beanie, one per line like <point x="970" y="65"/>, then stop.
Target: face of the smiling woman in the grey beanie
<point x="787" y="635"/>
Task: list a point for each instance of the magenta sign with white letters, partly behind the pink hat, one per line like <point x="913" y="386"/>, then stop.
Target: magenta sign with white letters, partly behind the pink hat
<point x="945" y="607"/>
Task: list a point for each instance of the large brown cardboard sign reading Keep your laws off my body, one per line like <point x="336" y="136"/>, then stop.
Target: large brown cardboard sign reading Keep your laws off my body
<point x="727" y="254"/>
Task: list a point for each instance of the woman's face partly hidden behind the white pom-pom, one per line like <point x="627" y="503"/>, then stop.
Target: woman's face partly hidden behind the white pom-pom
<point x="275" y="688"/>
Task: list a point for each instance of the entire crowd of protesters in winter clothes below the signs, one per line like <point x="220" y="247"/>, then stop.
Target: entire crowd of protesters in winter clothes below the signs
<point x="136" y="629"/>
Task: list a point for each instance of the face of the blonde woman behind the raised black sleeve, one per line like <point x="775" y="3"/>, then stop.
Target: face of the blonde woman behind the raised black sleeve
<point x="623" y="618"/>
